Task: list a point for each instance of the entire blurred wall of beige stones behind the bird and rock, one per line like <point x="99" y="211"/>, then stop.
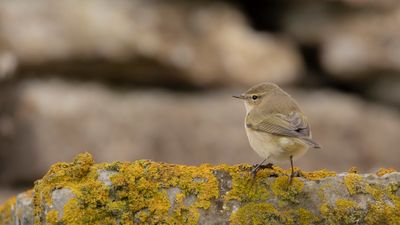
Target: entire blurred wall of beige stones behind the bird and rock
<point x="134" y="79"/>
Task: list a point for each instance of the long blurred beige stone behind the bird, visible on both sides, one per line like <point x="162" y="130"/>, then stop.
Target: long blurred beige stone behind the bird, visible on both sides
<point x="56" y="120"/>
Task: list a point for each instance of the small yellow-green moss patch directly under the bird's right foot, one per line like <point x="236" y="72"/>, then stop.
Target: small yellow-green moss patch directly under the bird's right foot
<point x="285" y="191"/>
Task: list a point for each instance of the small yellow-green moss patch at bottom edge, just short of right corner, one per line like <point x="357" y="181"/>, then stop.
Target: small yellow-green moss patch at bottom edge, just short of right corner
<point x="343" y="212"/>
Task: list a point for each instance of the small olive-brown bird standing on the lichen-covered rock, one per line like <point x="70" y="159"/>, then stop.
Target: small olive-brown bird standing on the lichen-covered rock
<point x="276" y="127"/>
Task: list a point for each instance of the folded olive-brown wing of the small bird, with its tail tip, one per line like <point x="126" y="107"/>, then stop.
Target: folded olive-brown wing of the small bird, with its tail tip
<point x="293" y="124"/>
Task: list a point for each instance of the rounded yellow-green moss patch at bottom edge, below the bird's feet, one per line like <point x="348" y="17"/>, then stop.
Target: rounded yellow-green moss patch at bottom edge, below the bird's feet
<point x="258" y="213"/>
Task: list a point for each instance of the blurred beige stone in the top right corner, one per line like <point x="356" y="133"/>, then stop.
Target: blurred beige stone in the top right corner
<point x="355" y="41"/>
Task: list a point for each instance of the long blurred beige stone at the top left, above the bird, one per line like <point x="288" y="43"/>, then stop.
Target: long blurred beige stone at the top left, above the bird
<point x="200" y="43"/>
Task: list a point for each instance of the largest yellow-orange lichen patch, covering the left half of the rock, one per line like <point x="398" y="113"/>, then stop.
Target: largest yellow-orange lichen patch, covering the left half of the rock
<point x="138" y="192"/>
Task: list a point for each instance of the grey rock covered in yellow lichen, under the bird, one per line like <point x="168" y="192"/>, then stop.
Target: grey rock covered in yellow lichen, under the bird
<point x="145" y="192"/>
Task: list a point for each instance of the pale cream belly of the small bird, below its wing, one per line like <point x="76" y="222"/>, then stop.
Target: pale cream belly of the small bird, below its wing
<point x="276" y="148"/>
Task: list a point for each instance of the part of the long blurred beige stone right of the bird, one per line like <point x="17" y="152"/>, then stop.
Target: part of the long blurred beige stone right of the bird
<point x="351" y="131"/>
